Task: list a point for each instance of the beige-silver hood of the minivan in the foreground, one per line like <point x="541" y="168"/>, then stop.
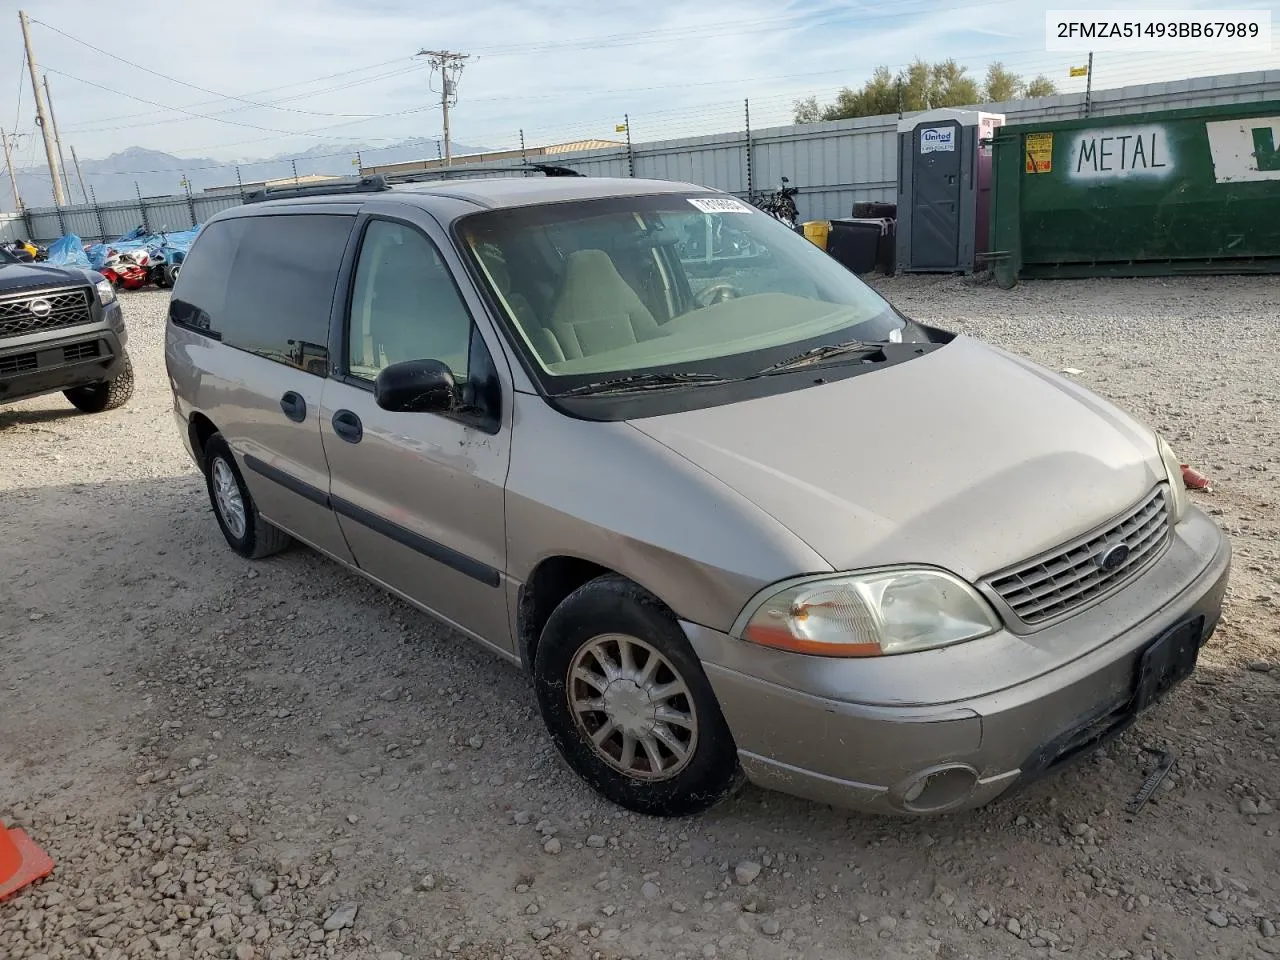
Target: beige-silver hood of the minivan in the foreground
<point x="967" y="458"/>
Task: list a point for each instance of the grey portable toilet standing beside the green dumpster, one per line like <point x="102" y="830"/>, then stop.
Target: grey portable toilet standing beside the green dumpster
<point x="944" y="189"/>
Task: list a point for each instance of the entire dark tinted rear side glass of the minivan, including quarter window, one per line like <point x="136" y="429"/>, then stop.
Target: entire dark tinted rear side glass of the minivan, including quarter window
<point x="266" y="285"/>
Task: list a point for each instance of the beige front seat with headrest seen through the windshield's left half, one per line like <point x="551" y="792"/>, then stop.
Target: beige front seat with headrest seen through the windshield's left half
<point x="597" y="310"/>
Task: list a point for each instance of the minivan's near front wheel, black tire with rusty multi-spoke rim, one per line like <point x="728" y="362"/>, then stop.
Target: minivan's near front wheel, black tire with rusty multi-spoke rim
<point x="629" y="706"/>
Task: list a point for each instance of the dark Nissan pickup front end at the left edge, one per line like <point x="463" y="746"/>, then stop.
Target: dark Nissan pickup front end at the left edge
<point x="62" y="331"/>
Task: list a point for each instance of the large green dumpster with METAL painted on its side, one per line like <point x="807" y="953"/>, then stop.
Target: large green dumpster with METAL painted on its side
<point x="1180" y="191"/>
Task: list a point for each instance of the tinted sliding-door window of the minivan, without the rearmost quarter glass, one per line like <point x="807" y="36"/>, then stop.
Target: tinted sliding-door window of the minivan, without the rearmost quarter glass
<point x="280" y="290"/>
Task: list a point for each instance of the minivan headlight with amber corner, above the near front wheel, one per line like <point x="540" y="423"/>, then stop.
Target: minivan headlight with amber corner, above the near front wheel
<point x="871" y="615"/>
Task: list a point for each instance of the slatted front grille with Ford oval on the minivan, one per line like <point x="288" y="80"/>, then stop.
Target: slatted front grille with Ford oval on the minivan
<point x="1058" y="584"/>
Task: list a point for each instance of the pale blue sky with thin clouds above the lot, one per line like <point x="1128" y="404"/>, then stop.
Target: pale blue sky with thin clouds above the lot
<point x="252" y="79"/>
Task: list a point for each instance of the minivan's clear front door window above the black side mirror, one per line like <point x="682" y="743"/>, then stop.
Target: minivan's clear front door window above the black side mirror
<point x="405" y="305"/>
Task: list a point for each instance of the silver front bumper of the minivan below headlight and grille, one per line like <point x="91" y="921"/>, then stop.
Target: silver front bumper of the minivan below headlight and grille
<point x="811" y="740"/>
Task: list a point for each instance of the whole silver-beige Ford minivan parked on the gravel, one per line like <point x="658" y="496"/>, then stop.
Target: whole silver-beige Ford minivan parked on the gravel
<point x="737" y="515"/>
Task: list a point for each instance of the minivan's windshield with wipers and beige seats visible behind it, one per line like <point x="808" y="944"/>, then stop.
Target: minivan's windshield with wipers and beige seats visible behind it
<point x="607" y="289"/>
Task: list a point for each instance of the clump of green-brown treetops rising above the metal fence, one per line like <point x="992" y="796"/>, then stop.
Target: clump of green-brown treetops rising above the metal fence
<point x="922" y="86"/>
